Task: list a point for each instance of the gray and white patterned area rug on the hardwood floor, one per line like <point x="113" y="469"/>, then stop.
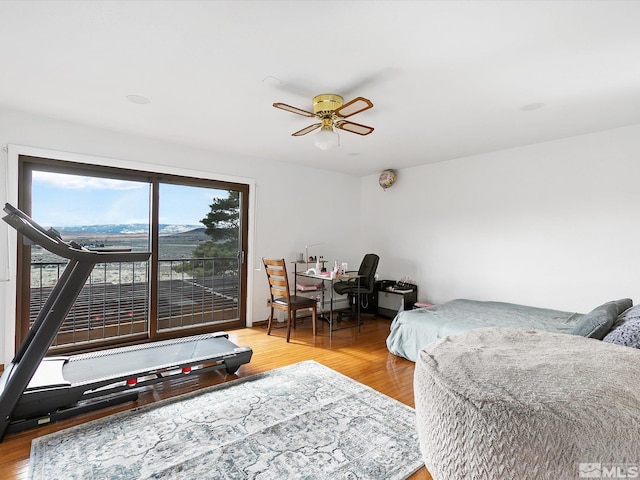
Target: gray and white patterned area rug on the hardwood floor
<point x="304" y="421"/>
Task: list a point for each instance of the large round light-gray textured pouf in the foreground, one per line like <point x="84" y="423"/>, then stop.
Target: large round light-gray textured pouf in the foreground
<point x="504" y="404"/>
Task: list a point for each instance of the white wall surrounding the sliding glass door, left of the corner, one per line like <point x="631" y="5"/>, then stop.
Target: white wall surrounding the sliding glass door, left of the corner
<point x="287" y="214"/>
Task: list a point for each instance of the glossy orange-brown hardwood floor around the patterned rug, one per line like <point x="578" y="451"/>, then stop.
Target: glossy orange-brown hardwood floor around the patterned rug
<point x="361" y="356"/>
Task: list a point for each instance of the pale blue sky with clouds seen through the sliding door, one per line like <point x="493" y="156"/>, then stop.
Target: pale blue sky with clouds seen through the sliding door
<point x="60" y="200"/>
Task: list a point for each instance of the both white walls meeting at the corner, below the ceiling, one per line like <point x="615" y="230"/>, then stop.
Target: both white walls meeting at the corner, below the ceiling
<point x="550" y="225"/>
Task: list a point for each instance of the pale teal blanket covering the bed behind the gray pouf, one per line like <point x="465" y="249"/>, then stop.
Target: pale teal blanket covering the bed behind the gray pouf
<point x="412" y="330"/>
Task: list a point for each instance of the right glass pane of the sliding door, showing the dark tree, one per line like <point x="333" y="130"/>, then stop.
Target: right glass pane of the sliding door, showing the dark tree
<point x="199" y="264"/>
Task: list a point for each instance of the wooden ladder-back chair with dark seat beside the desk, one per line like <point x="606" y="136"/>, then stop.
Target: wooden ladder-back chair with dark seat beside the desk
<point x="282" y="299"/>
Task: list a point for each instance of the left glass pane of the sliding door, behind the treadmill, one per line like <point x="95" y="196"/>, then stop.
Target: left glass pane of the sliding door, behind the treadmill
<point x="98" y="214"/>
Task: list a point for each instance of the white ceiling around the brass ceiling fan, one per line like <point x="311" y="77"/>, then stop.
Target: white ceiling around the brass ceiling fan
<point x="448" y="78"/>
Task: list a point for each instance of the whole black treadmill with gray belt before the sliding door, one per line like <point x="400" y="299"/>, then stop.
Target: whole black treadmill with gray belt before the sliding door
<point x="36" y="390"/>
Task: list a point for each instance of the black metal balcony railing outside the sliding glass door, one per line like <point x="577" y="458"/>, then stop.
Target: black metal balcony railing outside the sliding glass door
<point x="114" y="303"/>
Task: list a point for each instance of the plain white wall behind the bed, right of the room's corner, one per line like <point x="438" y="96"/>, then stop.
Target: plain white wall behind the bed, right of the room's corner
<point x="551" y="225"/>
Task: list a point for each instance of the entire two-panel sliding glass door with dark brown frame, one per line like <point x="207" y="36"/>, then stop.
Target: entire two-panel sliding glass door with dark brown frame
<point x="194" y="281"/>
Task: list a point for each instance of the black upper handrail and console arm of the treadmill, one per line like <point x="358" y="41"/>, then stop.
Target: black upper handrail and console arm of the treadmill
<point x="53" y="243"/>
